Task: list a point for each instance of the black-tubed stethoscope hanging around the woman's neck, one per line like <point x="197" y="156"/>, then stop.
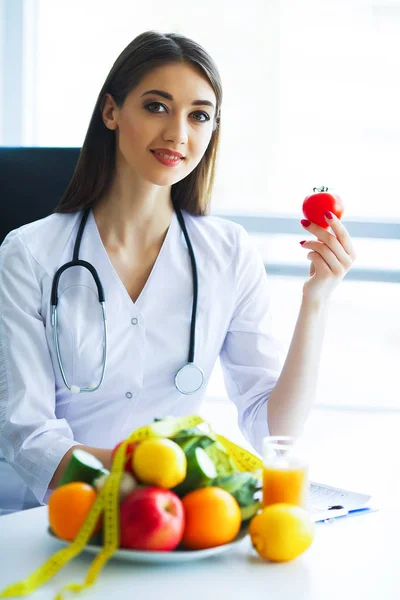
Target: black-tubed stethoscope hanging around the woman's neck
<point x="189" y="379"/>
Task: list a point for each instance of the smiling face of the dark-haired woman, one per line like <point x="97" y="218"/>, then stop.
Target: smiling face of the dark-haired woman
<point x="147" y="121"/>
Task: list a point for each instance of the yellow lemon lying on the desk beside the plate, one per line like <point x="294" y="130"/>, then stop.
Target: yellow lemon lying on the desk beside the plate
<point x="281" y="532"/>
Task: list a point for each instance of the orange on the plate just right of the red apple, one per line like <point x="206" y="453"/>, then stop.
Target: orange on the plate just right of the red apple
<point x="212" y="518"/>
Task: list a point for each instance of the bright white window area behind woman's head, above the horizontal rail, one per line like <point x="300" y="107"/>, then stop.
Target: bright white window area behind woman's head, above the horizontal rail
<point x="311" y="90"/>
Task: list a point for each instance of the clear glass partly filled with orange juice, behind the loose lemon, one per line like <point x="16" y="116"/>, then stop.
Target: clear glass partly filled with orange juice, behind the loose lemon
<point x="285" y="472"/>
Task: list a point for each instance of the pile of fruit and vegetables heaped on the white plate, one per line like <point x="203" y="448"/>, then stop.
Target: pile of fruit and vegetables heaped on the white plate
<point x="178" y="492"/>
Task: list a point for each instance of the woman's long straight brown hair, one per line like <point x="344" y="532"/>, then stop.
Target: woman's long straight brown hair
<point x="96" y="164"/>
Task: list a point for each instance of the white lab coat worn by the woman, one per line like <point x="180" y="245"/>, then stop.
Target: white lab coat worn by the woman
<point x="148" y="341"/>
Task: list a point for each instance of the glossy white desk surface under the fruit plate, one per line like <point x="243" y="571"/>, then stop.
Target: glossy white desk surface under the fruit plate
<point x="351" y="558"/>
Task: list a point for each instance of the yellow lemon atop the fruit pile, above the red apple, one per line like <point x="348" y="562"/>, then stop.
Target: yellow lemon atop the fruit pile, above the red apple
<point x="160" y="462"/>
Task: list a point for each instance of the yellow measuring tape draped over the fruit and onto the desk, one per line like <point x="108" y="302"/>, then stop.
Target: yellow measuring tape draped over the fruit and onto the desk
<point x="107" y="502"/>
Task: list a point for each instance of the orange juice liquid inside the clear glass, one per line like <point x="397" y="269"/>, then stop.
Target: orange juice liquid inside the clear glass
<point x="285" y="484"/>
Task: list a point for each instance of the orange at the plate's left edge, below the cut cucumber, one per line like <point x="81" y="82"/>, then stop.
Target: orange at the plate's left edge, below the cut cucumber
<point x="69" y="506"/>
